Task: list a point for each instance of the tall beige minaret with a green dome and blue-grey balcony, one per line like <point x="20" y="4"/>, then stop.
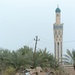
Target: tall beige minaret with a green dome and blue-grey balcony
<point x="58" y="36"/>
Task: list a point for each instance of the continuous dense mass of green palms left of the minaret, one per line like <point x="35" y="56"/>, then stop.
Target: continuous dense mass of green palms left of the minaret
<point x="25" y="58"/>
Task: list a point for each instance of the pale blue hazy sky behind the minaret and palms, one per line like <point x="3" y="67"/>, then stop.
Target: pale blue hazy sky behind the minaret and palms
<point x="22" y="20"/>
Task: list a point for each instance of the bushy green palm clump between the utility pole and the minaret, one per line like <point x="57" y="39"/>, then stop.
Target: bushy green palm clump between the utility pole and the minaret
<point x="43" y="59"/>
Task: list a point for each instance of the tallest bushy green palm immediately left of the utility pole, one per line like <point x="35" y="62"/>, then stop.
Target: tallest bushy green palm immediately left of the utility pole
<point x="26" y="55"/>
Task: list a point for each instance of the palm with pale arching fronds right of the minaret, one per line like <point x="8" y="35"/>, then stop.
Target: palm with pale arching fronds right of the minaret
<point x="70" y="58"/>
